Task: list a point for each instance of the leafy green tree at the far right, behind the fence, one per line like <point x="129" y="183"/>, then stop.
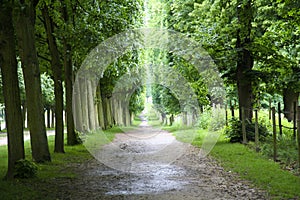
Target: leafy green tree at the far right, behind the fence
<point x="276" y="50"/>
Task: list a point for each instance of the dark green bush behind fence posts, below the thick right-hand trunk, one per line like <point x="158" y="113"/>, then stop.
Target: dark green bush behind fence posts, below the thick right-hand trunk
<point x="234" y="131"/>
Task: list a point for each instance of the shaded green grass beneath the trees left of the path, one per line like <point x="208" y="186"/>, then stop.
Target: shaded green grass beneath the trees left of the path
<point x="48" y="173"/>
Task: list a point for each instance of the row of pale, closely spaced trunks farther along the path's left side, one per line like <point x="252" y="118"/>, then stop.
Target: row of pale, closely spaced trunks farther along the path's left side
<point x="94" y="110"/>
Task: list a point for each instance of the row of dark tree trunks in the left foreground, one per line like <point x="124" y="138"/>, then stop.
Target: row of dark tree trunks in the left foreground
<point x="17" y="18"/>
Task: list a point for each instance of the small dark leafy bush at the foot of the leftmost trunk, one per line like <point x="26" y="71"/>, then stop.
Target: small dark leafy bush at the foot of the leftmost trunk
<point x="25" y="169"/>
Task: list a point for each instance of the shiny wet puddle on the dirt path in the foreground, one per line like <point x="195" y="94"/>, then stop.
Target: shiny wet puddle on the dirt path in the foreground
<point x="159" y="179"/>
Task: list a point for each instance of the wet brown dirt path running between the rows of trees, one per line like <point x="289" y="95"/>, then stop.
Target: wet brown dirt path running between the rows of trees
<point x="149" y="164"/>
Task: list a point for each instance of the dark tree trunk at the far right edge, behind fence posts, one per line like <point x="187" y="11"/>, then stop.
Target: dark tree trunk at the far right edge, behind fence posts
<point x="289" y="97"/>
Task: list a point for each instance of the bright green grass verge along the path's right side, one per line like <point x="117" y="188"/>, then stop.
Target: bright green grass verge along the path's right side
<point x="262" y="172"/>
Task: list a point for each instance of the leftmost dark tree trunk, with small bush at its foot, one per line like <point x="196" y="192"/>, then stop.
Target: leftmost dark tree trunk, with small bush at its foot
<point x="11" y="91"/>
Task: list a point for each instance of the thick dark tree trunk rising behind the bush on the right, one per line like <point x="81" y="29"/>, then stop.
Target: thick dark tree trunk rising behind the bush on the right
<point x="244" y="59"/>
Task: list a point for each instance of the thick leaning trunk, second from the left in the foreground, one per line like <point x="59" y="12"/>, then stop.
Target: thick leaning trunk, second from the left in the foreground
<point x="25" y="20"/>
